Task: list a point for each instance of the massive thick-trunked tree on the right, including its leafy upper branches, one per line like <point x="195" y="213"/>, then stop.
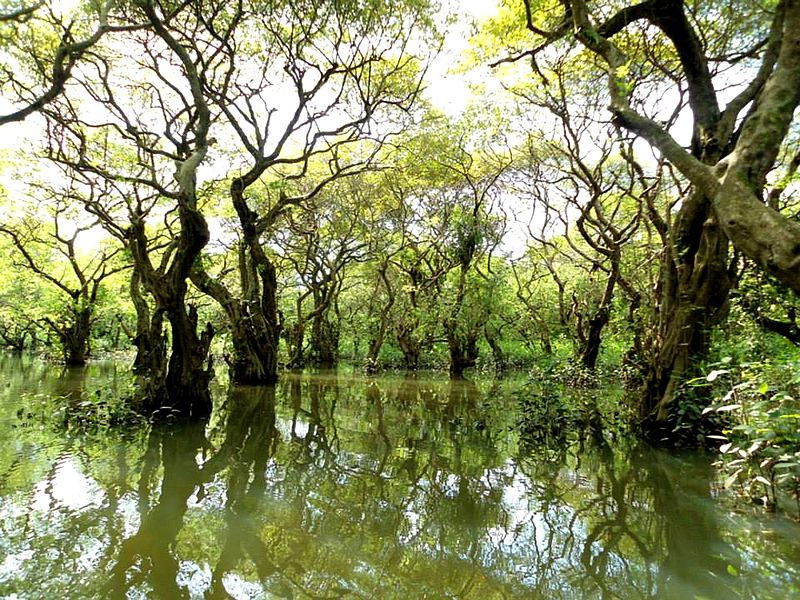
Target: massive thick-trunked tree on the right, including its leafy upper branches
<point x="732" y="151"/>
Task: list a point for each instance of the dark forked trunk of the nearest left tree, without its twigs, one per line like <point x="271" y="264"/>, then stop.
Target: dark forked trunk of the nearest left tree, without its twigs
<point x="183" y="386"/>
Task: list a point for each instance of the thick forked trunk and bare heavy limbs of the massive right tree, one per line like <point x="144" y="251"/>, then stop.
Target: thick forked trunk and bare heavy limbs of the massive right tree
<point x="733" y="150"/>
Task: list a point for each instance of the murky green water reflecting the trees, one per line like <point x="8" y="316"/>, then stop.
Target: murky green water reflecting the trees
<point x="337" y="486"/>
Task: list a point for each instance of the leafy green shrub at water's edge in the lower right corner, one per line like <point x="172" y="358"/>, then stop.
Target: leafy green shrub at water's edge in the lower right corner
<point x="760" y="450"/>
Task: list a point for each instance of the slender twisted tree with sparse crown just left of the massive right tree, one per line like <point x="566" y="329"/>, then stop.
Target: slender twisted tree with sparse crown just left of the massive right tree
<point x="588" y="208"/>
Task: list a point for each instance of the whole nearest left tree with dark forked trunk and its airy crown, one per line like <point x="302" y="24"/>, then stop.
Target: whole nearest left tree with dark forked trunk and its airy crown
<point x="92" y="136"/>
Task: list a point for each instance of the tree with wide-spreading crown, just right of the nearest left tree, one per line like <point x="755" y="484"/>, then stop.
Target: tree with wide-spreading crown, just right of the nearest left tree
<point x="325" y="76"/>
